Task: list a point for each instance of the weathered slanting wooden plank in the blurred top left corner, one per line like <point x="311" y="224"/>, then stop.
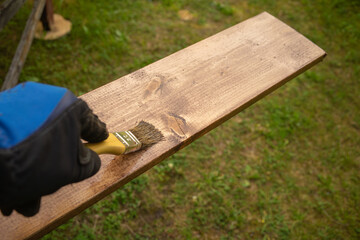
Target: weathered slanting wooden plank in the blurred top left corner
<point x="23" y="48"/>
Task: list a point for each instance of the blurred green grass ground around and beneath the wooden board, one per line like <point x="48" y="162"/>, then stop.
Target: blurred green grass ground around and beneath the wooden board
<point x="286" y="168"/>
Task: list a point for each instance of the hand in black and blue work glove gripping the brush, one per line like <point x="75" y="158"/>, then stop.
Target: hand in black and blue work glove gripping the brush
<point x="40" y="147"/>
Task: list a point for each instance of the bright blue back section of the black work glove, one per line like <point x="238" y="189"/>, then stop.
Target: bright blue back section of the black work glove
<point x="27" y="107"/>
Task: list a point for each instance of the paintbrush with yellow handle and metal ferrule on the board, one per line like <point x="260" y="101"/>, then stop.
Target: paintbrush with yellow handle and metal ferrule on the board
<point x="140" y="137"/>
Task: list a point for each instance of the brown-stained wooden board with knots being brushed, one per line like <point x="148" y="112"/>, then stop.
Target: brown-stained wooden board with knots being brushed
<point x="184" y="95"/>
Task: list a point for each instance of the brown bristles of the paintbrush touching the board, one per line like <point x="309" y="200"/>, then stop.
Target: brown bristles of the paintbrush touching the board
<point x="147" y="134"/>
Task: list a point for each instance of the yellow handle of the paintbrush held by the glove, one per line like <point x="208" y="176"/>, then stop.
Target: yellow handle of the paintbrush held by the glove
<point x="111" y="145"/>
